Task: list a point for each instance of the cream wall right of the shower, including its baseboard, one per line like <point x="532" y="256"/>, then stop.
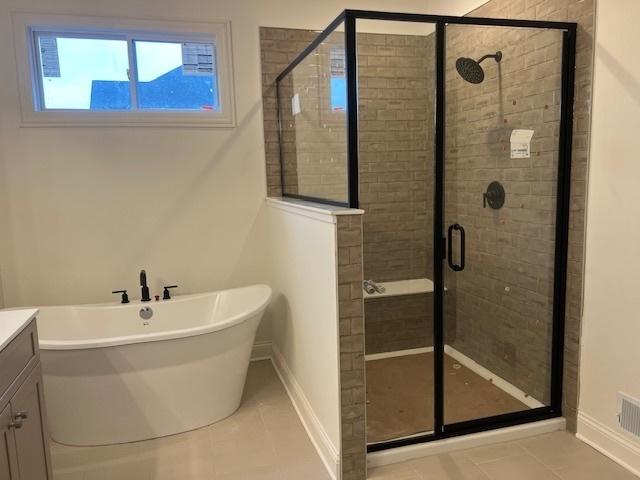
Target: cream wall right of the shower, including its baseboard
<point x="610" y="358"/>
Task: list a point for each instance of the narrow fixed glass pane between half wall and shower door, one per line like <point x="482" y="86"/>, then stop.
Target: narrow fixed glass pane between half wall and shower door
<point x="396" y="103"/>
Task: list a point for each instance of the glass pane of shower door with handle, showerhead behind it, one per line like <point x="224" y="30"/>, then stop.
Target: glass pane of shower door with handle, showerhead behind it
<point x="502" y="94"/>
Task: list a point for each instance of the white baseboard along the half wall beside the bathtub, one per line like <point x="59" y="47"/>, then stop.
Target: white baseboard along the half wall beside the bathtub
<point x="327" y="451"/>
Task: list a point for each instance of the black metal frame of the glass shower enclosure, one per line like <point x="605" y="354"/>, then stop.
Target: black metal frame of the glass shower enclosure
<point x="569" y="30"/>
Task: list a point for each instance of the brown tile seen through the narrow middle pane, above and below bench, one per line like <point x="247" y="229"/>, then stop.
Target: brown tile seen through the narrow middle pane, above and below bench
<point x="396" y="162"/>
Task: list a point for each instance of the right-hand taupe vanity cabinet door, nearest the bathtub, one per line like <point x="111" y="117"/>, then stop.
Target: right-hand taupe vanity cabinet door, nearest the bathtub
<point x="32" y="443"/>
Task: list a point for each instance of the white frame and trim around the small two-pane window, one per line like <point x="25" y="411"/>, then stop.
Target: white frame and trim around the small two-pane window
<point x="27" y="26"/>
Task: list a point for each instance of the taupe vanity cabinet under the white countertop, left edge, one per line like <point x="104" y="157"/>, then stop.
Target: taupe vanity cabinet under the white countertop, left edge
<point x="24" y="443"/>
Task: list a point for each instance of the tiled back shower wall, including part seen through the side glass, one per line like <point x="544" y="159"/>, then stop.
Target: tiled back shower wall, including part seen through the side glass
<point x="396" y="95"/>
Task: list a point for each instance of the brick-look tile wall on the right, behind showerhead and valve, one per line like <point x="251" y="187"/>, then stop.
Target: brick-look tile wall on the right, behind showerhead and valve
<point x="525" y="231"/>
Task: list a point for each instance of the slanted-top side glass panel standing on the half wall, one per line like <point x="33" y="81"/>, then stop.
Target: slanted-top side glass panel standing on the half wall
<point x="313" y="124"/>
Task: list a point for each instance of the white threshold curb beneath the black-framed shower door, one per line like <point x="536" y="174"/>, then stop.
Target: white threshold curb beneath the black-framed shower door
<point x="411" y="452"/>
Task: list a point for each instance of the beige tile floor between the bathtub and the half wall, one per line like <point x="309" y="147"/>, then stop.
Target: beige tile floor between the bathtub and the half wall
<point x="263" y="440"/>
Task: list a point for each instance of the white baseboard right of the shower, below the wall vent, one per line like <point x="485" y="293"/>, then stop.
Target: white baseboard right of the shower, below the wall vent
<point x="611" y="443"/>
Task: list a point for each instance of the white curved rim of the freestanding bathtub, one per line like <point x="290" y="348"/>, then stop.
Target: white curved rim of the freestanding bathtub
<point x="264" y="295"/>
